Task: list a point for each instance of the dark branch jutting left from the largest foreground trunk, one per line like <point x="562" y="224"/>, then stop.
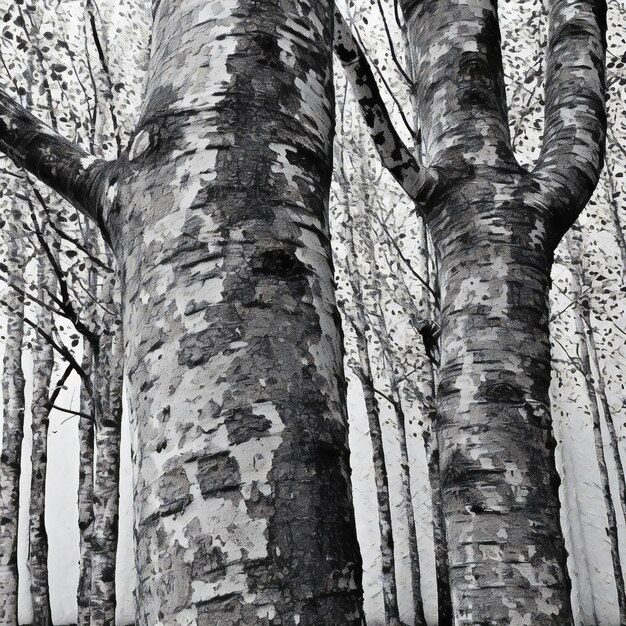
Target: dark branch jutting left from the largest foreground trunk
<point x="79" y="177"/>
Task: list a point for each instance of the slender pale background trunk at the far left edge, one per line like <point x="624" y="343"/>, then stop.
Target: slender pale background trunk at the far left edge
<point x="12" y="432"/>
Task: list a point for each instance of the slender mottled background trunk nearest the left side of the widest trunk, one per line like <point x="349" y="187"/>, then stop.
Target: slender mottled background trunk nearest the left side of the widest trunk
<point x="108" y="382"/>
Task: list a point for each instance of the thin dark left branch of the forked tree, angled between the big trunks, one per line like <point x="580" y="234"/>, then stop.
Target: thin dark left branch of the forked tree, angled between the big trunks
<point x="418" y="182"/>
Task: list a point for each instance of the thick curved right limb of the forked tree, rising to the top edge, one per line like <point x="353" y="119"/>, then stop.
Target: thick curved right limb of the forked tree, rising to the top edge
<point x="575" y="119"/>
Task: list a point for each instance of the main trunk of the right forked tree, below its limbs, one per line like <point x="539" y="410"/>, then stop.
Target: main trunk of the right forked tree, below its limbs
<point x="499" y="481"/>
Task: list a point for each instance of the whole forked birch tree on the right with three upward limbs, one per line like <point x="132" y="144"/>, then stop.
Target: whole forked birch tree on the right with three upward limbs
<point x="495" y="225"/>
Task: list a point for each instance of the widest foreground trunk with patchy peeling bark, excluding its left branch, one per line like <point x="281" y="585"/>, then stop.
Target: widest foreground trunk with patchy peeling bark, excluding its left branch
<point x="242" y="499"/>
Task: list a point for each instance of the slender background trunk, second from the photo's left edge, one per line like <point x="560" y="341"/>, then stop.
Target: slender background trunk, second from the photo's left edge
<point x="43" y="365"/>
